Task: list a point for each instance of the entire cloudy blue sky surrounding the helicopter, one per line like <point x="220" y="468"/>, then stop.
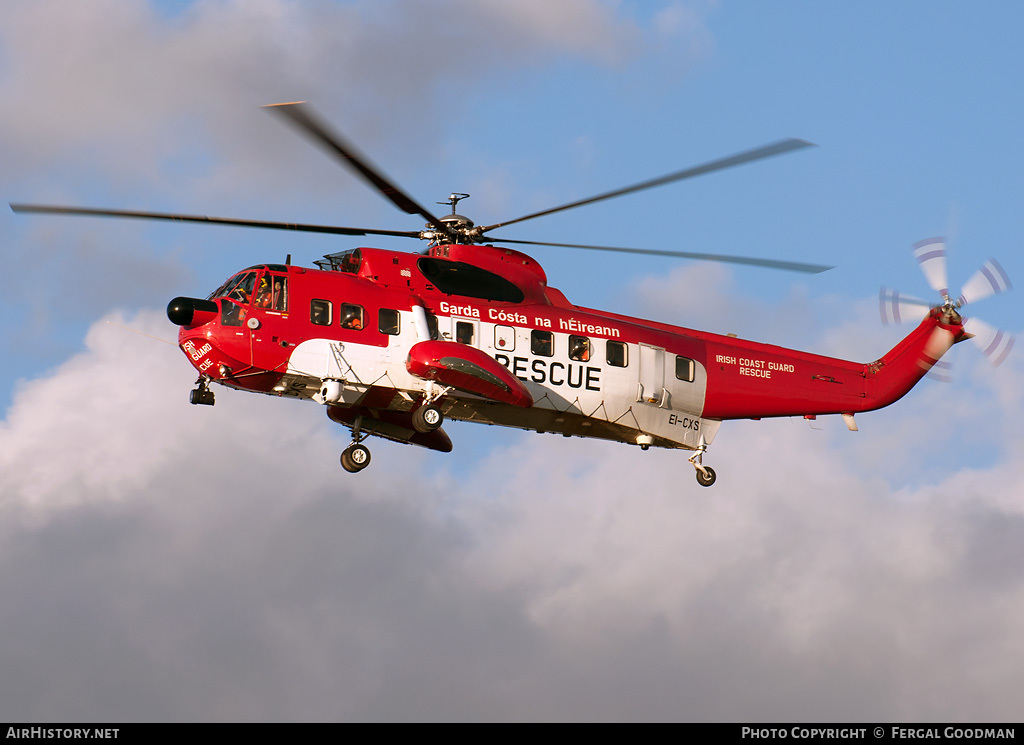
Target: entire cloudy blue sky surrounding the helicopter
<point x="165" y="562"/>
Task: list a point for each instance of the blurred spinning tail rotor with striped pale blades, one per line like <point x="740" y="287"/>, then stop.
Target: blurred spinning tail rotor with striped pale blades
<point x="991" y="280"/>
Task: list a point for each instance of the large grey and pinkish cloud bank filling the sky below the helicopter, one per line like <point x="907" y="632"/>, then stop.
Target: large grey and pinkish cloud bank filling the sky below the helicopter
<point x="168" y="562"/>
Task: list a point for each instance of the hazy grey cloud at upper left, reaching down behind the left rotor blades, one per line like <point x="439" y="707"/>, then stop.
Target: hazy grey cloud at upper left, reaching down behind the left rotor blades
<point x="138" y="106"/>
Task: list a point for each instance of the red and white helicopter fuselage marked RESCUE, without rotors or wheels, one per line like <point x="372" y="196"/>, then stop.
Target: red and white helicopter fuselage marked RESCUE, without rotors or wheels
<point x="342" y="336"/>
